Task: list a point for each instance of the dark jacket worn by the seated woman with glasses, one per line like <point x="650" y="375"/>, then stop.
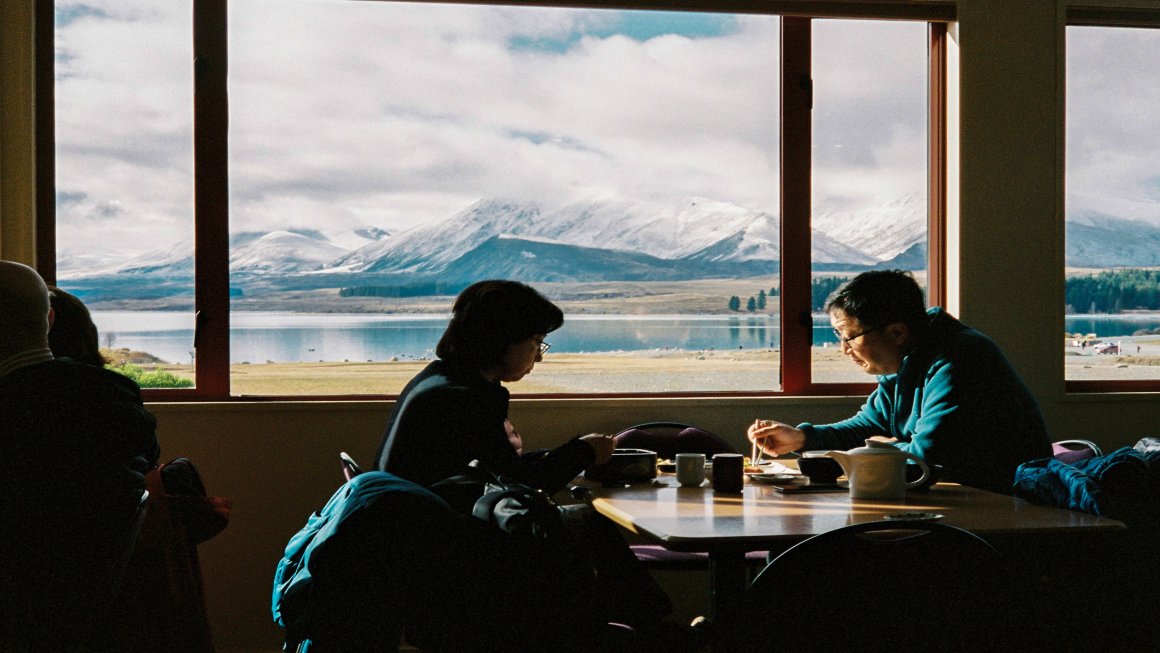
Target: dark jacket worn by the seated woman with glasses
<point x="447" y="417"/>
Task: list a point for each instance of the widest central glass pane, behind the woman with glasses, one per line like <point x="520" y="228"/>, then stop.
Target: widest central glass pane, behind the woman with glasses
<point x="385" y="156"/>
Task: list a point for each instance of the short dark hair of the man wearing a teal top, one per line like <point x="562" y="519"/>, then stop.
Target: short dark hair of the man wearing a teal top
<point x="878" y="299"/>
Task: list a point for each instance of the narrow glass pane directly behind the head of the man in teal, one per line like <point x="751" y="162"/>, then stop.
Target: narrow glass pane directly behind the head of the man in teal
<point x="869" y="165"/>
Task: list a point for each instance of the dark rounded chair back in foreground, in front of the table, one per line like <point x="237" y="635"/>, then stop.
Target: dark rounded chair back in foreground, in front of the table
<point x="878" y="586"/>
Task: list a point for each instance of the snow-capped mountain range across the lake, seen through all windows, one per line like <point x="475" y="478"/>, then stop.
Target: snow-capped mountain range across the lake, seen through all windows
<point x="599" y="241"/>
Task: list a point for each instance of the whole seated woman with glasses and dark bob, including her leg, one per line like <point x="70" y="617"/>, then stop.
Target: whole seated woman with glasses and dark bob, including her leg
<point x="455" y="412"/>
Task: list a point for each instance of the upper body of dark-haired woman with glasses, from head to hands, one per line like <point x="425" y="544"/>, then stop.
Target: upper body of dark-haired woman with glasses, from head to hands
<point x="455" y="411"/>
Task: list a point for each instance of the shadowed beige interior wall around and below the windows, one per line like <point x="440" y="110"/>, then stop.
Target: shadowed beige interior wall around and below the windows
<point x="279" y="460"/>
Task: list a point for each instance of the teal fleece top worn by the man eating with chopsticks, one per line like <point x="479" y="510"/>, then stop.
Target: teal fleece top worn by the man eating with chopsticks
<point x="956" y="402"/>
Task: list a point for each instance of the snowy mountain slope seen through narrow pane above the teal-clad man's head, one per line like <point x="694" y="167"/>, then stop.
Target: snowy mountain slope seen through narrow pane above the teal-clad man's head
<point x="882" y="231"/>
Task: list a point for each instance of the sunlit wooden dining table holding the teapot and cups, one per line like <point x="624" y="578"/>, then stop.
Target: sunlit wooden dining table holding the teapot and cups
<point x="728" y="526"/>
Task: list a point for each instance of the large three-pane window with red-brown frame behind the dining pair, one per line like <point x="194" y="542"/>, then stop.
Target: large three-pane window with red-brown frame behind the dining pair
<point x="357" y="164"/>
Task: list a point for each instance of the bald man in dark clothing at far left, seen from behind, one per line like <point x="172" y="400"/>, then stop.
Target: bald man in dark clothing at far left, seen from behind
<point x="76" y="442"/>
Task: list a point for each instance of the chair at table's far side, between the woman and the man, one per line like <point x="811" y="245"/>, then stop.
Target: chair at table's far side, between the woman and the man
<point x="668" y="440"/>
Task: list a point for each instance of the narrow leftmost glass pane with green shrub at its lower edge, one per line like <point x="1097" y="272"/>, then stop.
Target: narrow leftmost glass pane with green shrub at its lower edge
<point x="125" y="180"/>
